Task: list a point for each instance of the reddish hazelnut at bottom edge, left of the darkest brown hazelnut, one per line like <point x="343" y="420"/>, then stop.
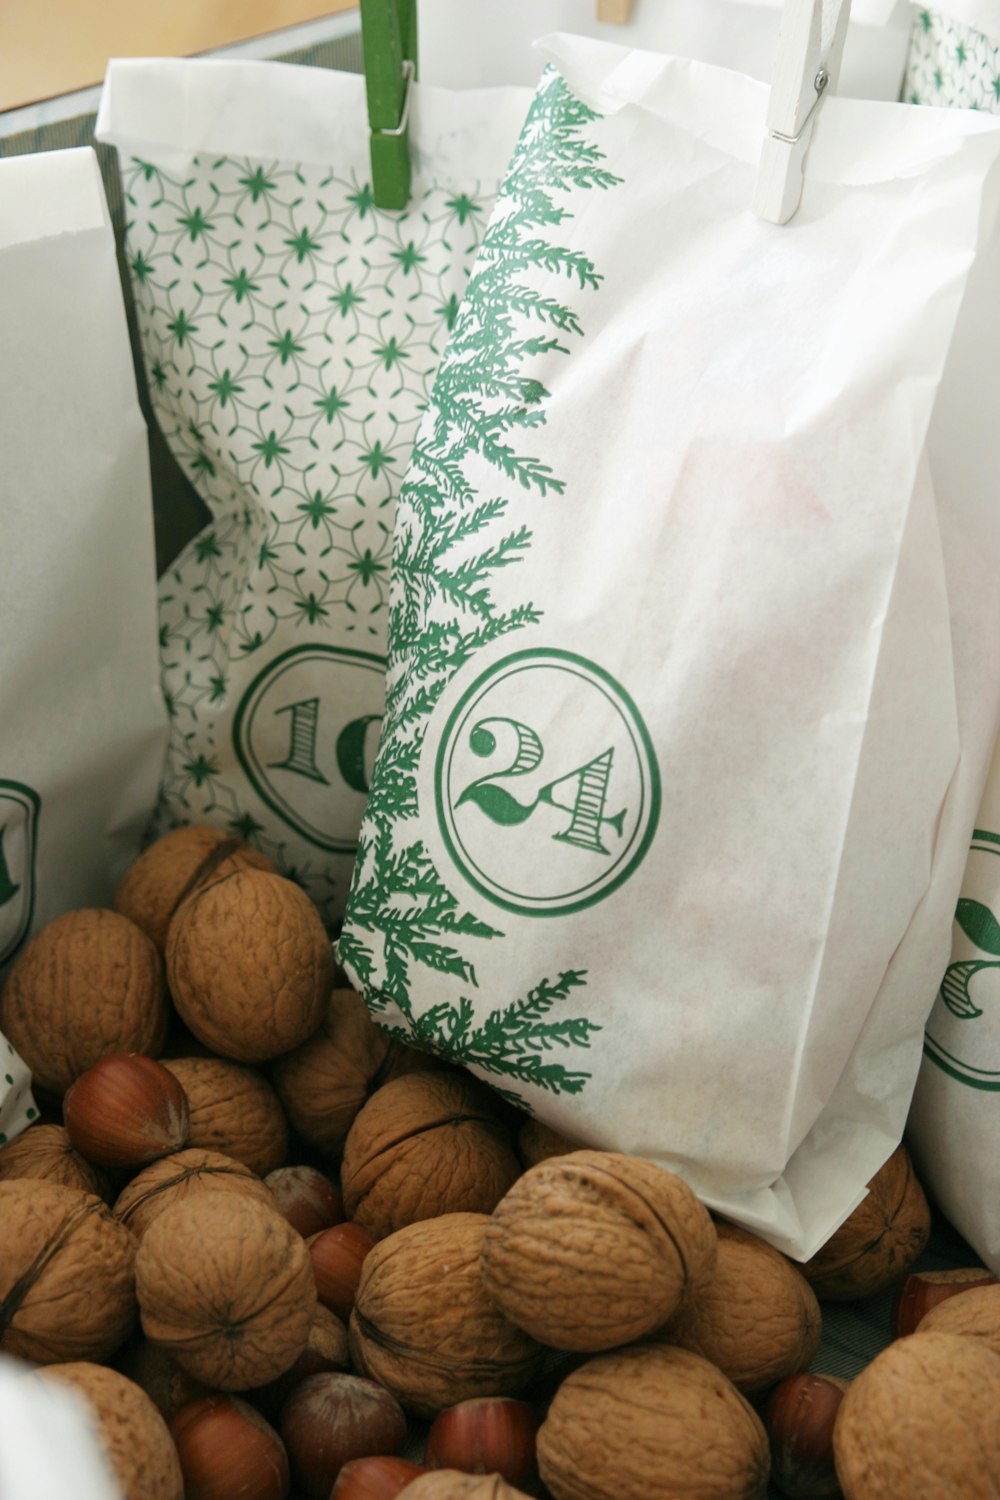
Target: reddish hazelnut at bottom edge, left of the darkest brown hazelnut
<point x="229" y="1451"/>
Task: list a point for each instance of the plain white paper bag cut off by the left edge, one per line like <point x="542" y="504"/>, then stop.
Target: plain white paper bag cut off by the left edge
<point x="83" y="725"/>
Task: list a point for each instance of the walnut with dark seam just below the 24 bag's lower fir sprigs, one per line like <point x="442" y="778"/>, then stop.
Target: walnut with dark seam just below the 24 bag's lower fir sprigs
<point x="425" y="1145"/>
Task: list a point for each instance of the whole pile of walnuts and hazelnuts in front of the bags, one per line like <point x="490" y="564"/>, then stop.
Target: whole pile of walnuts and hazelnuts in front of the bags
<point x="286" y="1256"/>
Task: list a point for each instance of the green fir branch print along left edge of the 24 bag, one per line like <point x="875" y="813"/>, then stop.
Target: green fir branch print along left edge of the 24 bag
<point x="451" y="544"/>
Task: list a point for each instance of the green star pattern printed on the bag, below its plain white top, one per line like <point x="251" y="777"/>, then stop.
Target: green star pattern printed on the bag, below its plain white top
<point x="292" y="334"/>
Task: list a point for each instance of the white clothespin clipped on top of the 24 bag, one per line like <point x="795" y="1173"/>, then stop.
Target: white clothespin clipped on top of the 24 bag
<point x="807" y="67"/>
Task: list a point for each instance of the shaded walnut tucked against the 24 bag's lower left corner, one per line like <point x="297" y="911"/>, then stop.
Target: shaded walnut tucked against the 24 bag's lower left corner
<point x="325" y="1084"/>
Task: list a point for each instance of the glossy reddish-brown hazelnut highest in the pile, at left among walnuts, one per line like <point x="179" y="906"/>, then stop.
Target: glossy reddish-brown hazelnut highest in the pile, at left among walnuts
<point x="127" y="1112"/>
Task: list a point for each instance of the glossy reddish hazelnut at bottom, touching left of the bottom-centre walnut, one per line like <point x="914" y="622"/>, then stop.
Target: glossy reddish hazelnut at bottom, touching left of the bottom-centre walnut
<point x="488" y="1436"/>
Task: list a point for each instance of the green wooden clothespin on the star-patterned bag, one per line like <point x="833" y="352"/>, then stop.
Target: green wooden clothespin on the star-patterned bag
<point x="389" y="40"/>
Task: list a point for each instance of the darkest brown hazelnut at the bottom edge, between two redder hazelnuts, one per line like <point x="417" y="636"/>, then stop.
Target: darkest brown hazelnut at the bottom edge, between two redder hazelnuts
<point x="331" y="1420"/>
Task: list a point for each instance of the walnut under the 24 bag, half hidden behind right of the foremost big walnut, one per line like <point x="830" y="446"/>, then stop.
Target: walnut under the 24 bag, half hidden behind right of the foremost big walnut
<point x="758" y="1319"/>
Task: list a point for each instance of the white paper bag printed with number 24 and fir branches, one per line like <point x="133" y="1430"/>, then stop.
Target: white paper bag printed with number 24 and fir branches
<point x="695" y="635"/>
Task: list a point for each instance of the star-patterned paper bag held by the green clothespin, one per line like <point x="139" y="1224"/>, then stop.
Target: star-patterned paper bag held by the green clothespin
<point x="290" y="334"/>
